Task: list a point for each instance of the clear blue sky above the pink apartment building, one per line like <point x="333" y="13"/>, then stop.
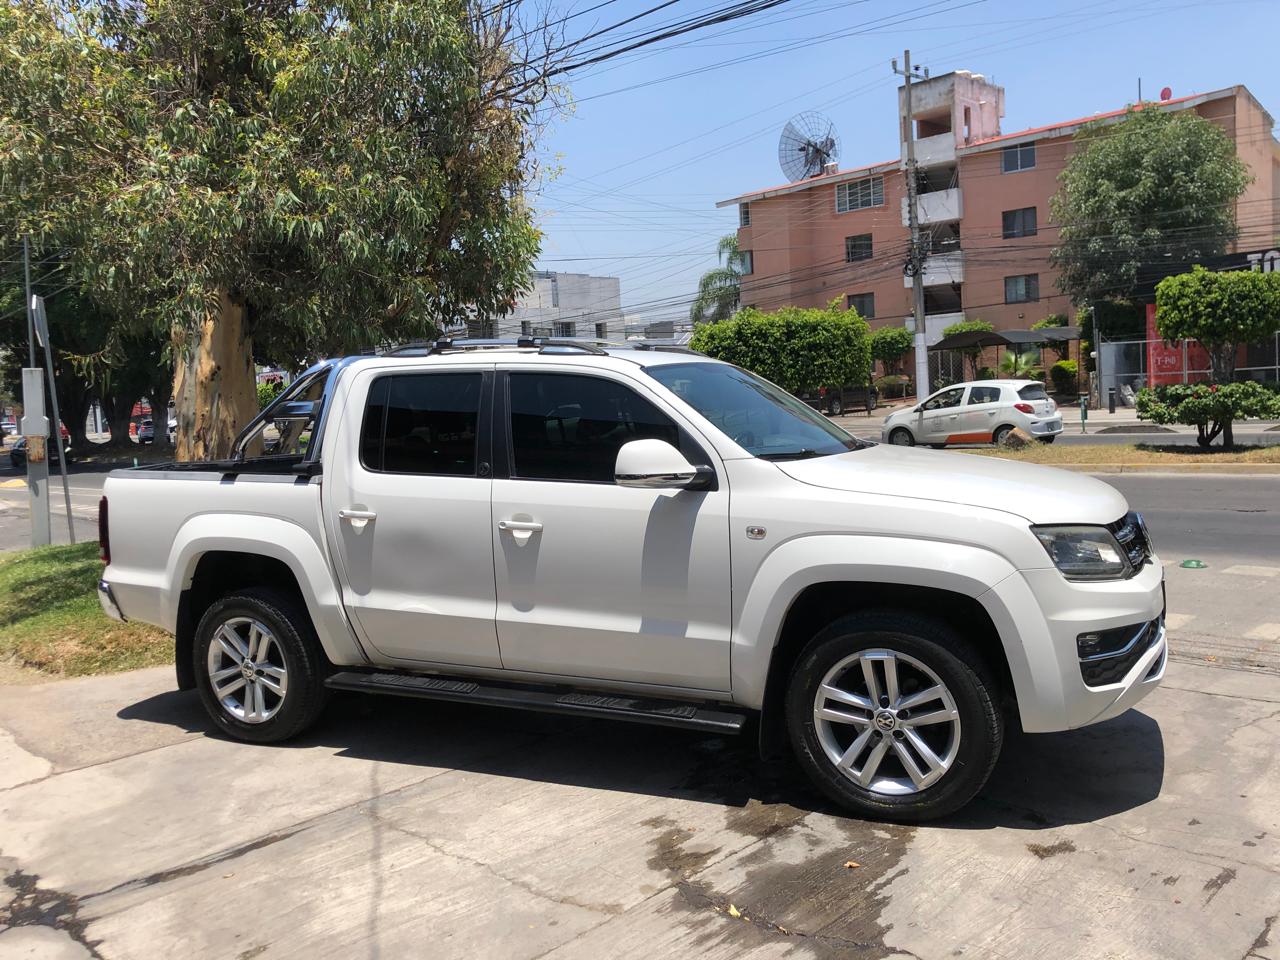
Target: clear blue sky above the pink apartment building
<point x="642" y="167"/>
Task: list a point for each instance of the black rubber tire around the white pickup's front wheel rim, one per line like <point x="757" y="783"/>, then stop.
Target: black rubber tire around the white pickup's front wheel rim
<point x="961" y="669"/>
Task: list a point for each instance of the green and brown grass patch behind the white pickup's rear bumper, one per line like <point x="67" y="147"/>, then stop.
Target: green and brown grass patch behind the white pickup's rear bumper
<point x="51" y="619"/>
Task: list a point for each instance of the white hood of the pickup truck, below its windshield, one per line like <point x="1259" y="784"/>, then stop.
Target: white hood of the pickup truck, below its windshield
<point x="1040" y="495"/>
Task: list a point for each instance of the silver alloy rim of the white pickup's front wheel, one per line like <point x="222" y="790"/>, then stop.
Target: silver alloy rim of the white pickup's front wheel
<point x="888" y="723"/>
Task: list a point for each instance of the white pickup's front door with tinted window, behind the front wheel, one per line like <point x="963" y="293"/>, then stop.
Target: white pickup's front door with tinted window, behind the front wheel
<point x="597" y="580"/>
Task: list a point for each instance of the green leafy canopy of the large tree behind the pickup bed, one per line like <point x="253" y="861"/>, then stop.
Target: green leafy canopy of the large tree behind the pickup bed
<point x="351" y="171"/>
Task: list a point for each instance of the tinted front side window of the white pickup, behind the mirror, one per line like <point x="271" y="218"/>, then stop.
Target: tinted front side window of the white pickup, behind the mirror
<point x="570" y="428"/>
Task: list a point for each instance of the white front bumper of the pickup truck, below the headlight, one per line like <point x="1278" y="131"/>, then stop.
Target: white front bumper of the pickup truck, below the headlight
<point x="1040" y="615"/>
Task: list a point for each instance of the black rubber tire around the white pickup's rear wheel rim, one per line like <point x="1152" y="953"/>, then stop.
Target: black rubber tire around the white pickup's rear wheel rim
<point x="300" y="655"/>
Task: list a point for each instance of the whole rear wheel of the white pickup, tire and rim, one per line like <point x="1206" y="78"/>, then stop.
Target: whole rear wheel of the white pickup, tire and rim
<point x="259" y="666"/>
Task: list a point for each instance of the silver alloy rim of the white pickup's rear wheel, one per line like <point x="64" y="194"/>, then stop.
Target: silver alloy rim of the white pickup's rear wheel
<point x="248" y="670"/>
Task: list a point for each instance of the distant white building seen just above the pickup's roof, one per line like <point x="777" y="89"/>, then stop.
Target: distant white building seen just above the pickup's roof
<point x="561" y="305"/>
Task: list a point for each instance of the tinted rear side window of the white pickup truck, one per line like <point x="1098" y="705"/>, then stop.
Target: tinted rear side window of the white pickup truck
<point x="422" y="424"/>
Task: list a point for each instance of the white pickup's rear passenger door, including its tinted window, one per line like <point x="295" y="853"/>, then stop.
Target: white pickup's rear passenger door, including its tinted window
<point x="408" y="493"/>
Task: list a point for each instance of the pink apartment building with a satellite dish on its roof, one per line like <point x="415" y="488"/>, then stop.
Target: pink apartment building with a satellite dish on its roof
<point x="984" y="204"/>
